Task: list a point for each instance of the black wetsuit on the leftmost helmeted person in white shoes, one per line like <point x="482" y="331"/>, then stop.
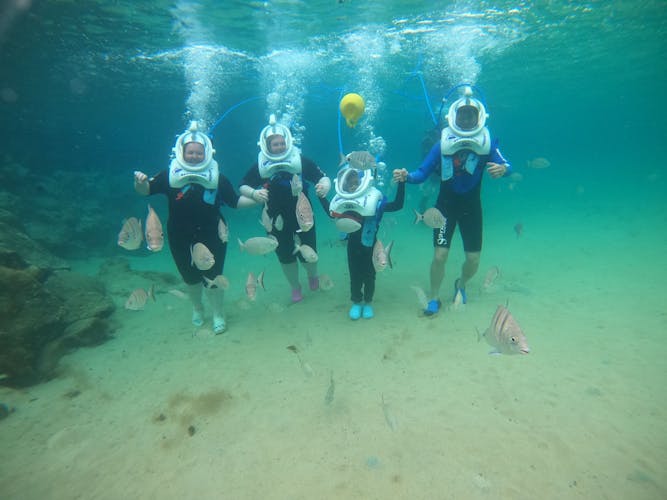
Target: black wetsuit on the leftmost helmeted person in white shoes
<point x="193" y="218"/>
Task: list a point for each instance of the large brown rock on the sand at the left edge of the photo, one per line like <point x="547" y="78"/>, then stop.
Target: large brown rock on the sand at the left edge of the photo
<point x="45" y="309"/>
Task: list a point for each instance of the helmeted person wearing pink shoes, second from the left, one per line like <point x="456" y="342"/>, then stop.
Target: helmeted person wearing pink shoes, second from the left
<point x="274" y="180"/>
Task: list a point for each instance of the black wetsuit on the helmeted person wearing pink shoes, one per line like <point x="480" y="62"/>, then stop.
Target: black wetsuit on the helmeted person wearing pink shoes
<point x="282" y="202"/>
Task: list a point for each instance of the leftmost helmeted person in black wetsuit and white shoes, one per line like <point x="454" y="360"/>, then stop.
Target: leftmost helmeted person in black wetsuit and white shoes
<point x="196" y="190"/>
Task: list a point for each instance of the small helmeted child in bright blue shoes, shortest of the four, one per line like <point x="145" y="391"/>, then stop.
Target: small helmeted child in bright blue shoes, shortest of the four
<point x="358" y="208"/>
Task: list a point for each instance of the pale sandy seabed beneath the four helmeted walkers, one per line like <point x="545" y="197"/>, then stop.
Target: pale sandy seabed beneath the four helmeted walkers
<point x="419" y="409"/>
